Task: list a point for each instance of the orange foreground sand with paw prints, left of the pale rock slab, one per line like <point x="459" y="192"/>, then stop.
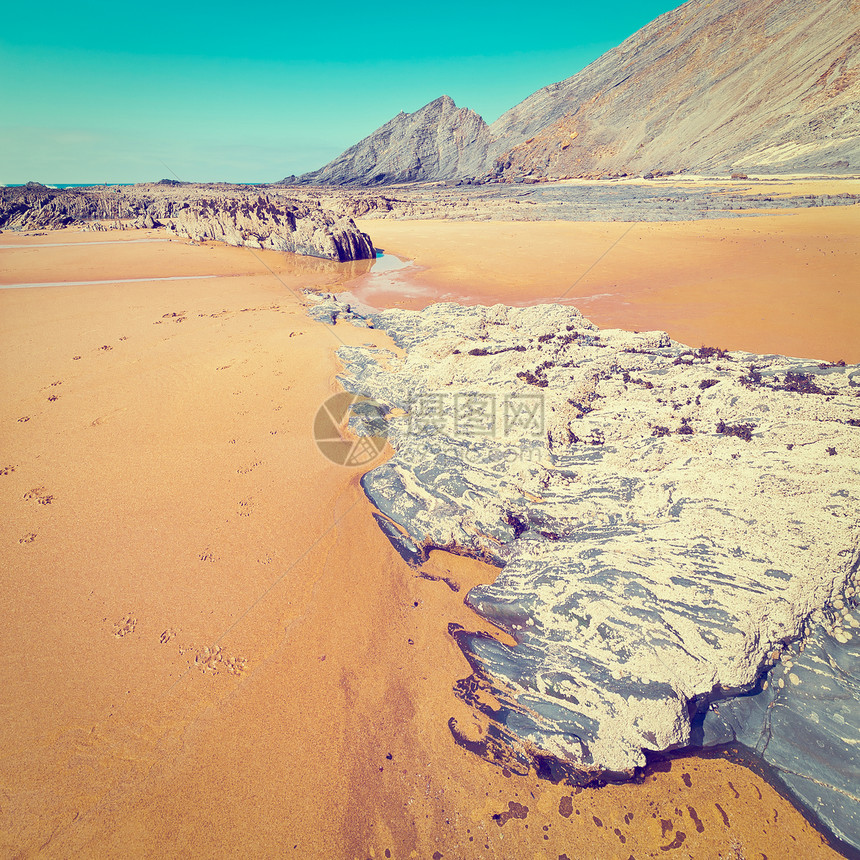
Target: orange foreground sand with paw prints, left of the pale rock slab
<point x="209" y="649"/>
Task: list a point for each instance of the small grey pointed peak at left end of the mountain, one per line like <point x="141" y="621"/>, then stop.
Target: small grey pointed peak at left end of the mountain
<point x="439" y="141"/>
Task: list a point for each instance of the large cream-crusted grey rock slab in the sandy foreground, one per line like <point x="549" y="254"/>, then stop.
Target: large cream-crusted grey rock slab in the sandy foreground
<point x="668" y="521"/>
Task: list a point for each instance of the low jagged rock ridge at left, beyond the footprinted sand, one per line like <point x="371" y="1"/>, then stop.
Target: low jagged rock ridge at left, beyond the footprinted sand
<point x="235" y="216"/>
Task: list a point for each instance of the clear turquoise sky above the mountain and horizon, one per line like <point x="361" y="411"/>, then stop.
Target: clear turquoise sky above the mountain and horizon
<point x="116" y="92"/>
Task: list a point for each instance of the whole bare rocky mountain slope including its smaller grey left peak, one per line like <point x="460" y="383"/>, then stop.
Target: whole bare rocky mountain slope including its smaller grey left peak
<point x="712" y="86"/>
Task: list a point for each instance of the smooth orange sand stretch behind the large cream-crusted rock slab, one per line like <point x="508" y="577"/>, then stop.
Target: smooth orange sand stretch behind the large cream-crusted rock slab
<point x="783" y="283"/>
